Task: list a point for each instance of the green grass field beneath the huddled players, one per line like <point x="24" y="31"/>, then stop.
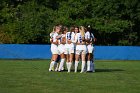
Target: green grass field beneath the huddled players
<point x="32" y="76"/>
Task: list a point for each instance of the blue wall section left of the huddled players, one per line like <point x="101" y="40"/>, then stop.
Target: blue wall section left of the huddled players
<point x="24" y="51"/>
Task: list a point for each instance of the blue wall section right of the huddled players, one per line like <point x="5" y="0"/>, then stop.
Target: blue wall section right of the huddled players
<point x="117" y="52"/>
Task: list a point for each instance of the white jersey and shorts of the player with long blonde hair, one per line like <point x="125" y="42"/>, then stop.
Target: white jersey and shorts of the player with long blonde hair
<point x="80" y="49"/>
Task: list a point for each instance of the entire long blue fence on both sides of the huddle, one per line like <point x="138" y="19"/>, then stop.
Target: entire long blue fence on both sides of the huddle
<point x="27" y="51"/>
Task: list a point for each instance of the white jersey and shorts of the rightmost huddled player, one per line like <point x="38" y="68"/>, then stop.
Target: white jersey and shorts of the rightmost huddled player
<point x="89" y="36"/>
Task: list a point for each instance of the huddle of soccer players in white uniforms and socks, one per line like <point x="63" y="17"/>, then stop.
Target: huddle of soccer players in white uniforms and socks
<point x="72" y="46"/>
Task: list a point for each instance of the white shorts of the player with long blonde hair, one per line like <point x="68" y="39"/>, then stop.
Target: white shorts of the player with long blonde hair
<point x="81" y="49"/>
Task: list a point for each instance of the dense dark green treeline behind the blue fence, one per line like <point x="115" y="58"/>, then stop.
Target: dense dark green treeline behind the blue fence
<point x="114" y="22"/>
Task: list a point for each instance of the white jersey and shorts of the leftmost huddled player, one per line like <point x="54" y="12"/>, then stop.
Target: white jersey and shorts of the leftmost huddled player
<point x="54" y="47"/>
